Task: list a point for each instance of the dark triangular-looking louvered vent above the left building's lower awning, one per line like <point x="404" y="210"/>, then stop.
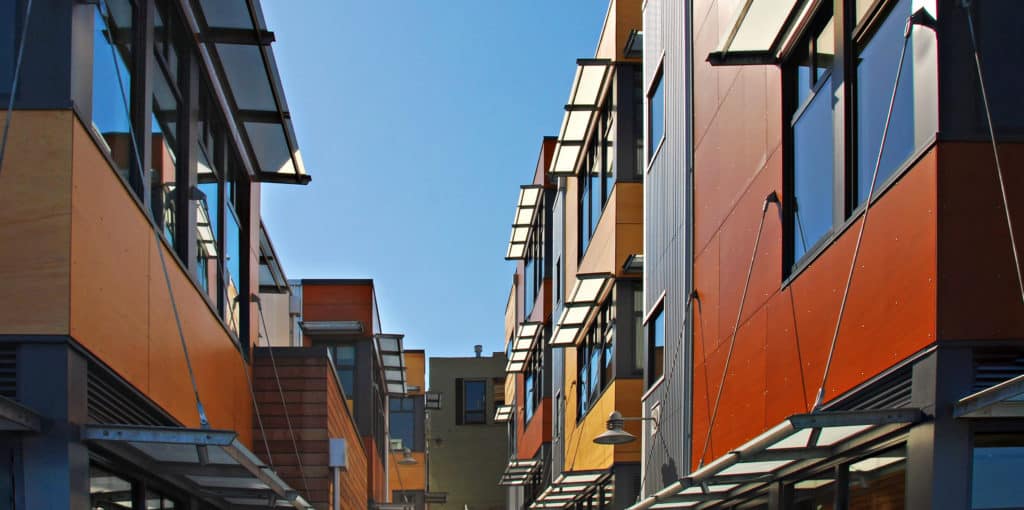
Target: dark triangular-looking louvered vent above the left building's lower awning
<point x="113" y="402"/>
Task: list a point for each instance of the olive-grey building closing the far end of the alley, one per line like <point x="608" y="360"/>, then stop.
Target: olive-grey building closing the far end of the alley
<point x="466" y="445"/>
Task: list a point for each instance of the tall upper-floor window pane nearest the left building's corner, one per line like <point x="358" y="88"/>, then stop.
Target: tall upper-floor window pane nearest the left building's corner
<point x="112" y="80"/>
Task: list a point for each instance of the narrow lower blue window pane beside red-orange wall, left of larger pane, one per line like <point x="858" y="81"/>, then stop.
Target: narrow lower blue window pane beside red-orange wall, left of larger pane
<point x="813" y="173"/>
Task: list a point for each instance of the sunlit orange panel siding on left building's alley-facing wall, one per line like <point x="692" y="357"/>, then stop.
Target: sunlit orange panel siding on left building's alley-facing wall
<point x="121" y="311"/>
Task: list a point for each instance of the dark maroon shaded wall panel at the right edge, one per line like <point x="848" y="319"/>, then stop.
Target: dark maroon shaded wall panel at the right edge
<point x="979" y="297"/>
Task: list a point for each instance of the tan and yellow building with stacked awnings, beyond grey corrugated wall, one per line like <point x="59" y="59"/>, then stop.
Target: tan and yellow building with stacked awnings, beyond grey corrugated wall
<point x="574" y="321"/>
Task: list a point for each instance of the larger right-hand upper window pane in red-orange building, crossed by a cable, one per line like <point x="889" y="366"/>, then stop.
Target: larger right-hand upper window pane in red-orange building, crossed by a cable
<point x="877" y="64"/>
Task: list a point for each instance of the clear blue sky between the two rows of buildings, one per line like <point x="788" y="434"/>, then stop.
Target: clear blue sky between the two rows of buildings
<point x="418" y="121"/>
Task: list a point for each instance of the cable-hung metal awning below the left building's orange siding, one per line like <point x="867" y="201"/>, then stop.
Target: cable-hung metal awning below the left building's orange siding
<point x="210" y="464"/>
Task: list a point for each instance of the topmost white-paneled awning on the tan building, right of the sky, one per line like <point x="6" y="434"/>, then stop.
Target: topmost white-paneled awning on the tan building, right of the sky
<point x="592" y="74"/>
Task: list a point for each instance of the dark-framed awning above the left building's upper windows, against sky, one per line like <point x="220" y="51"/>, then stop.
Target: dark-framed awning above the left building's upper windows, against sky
<point x="235" y="36"/>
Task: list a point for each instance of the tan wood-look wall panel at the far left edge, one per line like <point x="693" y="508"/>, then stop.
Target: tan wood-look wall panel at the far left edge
<point x="35" y="224"/>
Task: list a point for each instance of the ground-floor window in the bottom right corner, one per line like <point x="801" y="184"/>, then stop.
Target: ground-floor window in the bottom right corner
<point x="999" y="461"/>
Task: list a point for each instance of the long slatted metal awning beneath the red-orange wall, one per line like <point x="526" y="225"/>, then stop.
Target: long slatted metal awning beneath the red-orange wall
<point x="795" y="445"/>
